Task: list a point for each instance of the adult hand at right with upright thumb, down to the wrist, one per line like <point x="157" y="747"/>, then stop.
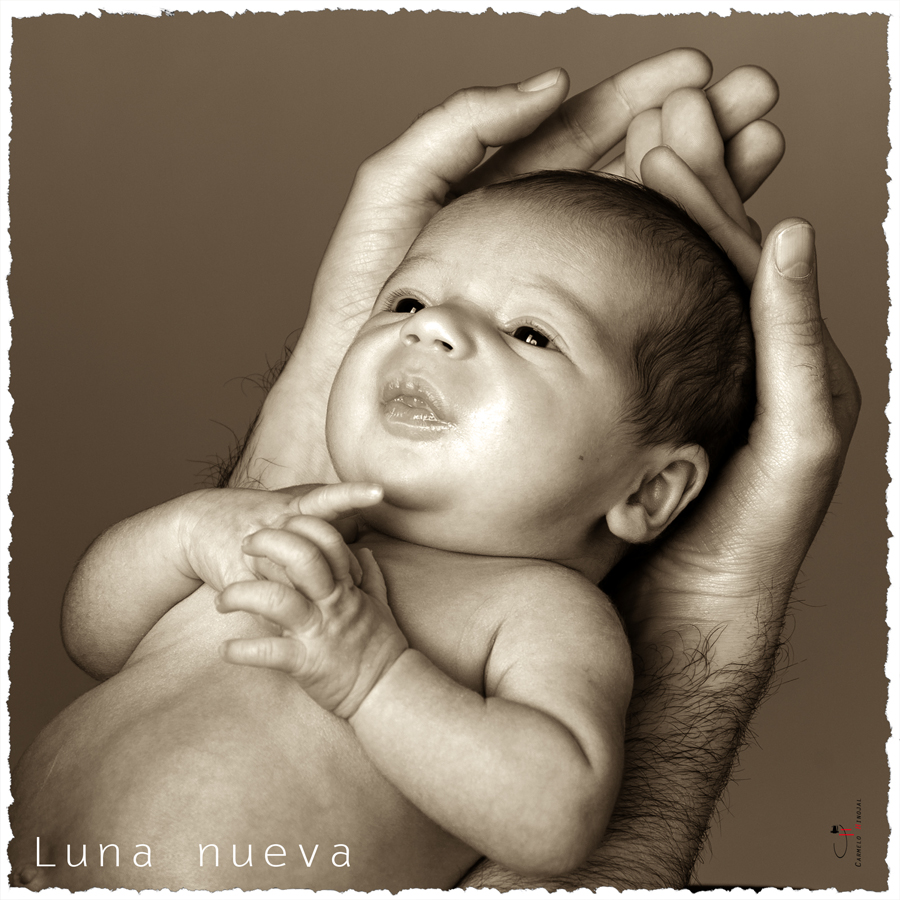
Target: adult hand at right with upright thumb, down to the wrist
<point x="763" y="511"/>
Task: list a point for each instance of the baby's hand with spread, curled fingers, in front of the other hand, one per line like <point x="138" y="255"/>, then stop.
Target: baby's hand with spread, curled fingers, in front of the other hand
<point x="338" y="635"/>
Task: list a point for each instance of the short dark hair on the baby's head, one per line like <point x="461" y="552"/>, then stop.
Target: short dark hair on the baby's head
<point x="692" y="357"/>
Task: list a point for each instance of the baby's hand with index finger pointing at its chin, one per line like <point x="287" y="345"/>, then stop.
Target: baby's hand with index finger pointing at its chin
<point x="216" y="522"/>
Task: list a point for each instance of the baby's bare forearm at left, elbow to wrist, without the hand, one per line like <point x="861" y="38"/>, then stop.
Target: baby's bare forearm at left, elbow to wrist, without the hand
<point x="125" y="582"/>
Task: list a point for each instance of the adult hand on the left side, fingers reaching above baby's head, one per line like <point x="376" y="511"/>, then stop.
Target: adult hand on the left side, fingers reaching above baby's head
<point x="400" y="188"/>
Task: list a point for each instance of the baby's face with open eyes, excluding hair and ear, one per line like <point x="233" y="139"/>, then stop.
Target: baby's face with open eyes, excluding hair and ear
<point x="486" y="390"/>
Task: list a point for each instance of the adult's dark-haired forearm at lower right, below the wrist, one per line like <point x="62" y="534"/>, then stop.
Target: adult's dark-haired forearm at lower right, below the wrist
<point x="694" y="696"/>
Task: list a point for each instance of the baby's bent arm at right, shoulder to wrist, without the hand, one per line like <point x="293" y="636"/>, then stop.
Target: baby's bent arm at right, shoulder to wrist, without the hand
<point x="528" y="774"/>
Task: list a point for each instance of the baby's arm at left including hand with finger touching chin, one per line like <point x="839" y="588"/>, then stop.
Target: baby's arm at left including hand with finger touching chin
<point x="140" y="568"/>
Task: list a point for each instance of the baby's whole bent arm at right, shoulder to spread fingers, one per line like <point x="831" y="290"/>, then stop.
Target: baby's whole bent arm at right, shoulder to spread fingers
<point x="527" y="775"/>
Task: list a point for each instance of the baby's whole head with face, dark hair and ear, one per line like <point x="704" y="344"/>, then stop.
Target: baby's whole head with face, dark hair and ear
<point x="553" y="368"/>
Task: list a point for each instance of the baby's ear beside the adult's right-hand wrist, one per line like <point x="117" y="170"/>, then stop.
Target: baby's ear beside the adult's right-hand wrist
<point x="680" y="474"/>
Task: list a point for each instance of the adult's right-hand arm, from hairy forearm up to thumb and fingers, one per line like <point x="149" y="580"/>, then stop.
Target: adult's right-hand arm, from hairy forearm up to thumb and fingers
<point x="706" y="605"/>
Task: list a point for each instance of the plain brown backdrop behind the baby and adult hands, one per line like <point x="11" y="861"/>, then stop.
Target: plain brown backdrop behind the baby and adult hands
<point x="174" y="183"/>
